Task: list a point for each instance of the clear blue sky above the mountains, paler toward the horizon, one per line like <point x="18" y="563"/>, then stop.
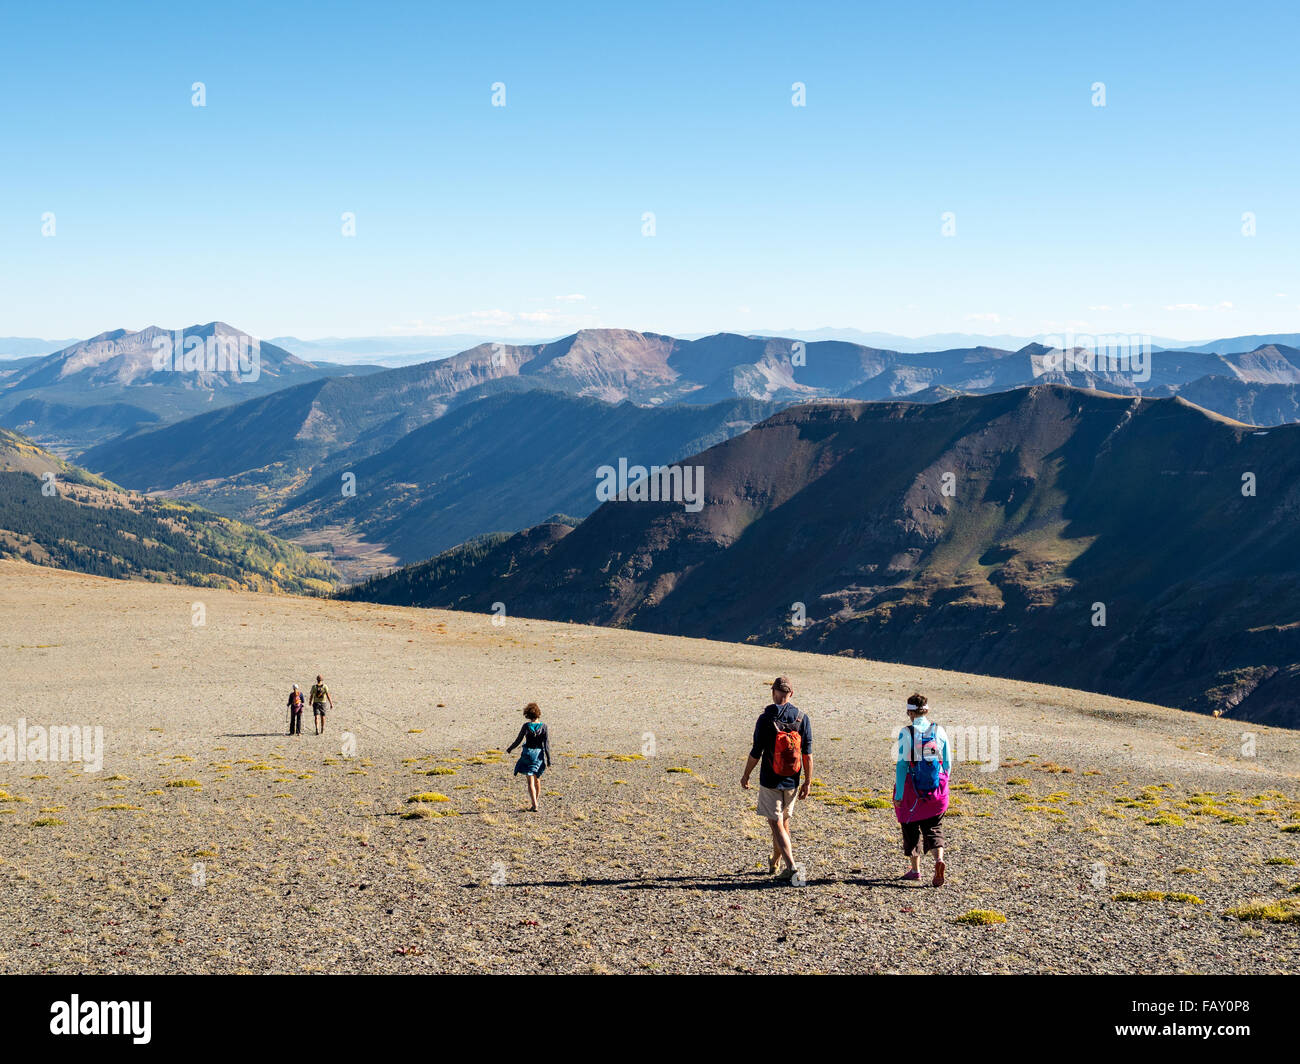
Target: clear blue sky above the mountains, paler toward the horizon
<point x="527" y="219"/>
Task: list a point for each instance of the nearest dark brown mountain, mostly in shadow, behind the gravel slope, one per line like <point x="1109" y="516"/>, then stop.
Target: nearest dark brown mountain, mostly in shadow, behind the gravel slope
<point x="1125" y="546"/>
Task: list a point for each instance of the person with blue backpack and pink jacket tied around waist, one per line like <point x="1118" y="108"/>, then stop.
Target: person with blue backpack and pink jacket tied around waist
<point x="921" y="788"/>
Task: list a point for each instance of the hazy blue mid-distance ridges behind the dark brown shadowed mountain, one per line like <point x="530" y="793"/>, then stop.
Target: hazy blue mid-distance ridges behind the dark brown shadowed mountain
<point x="278" y="460"/>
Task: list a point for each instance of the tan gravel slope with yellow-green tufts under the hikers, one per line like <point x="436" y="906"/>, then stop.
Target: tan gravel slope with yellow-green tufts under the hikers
<point x="306" y="855"/>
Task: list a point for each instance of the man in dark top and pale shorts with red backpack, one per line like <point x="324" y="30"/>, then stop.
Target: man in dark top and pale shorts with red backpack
<point x="783" y="746"/>
